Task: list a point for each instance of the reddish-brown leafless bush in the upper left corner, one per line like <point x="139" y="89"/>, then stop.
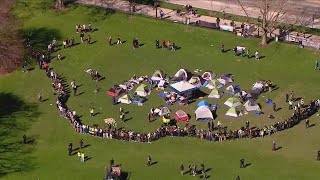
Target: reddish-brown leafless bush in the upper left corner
<point x="11" y="44"/>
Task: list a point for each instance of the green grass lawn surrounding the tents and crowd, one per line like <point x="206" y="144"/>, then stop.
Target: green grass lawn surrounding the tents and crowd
<point x="288" y="66"/>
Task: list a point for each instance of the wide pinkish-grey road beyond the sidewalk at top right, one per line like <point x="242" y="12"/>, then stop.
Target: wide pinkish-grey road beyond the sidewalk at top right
<point x="300" y="12"/>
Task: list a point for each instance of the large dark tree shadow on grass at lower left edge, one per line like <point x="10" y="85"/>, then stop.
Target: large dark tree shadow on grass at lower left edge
<point x="16" y="117"/>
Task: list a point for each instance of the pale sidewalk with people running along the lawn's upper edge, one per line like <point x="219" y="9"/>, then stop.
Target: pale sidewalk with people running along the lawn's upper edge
<point x="310" y="40"/>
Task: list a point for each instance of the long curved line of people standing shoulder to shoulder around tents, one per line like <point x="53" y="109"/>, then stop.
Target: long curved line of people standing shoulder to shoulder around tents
<point x="218" y="133"/>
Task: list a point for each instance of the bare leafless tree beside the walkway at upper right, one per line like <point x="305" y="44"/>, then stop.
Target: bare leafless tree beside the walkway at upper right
<point x="271" y="13"/>
